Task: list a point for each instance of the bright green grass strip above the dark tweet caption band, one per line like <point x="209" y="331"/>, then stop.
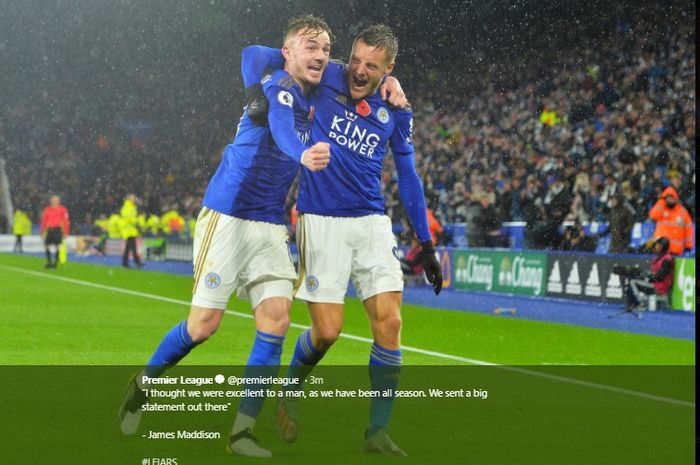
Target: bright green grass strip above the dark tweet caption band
<point x="54" y="321"/>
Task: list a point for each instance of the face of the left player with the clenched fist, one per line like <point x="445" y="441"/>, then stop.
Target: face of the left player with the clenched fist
<point x="307" y="54"/>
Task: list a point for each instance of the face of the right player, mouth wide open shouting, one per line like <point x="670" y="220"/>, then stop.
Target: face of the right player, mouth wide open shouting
<point x="368" y="66"/>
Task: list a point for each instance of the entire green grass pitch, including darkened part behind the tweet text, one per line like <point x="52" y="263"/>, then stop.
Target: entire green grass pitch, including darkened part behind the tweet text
<point x="107" y="321"/>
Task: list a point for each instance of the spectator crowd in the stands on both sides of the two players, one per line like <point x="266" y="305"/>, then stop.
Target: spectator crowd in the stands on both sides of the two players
<point x="590" y="133"/>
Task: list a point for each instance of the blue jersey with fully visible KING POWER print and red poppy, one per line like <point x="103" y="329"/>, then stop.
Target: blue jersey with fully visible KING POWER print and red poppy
<point x="359" y="134"/>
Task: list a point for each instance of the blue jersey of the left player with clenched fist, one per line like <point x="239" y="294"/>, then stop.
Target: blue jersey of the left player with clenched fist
<point x="257" y="169"/>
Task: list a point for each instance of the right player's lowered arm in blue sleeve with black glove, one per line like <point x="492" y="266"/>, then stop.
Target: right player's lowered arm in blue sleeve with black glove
<point x="411" y="192"/>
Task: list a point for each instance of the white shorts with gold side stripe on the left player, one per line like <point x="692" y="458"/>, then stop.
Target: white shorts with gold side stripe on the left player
<point x="249" y="257"/>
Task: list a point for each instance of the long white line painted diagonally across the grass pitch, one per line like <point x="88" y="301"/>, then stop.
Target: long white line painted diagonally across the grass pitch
<point x="522" y="371"/>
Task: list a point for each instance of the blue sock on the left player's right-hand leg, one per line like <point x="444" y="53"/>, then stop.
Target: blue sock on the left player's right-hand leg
<point x="264" y="361"/>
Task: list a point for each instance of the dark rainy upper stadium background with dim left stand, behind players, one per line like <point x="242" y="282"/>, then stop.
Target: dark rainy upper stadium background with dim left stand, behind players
<point x="167" y="73"/>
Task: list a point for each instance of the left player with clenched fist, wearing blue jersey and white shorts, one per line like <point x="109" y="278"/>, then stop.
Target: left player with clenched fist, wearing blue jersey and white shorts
<point x="241" y="241"/>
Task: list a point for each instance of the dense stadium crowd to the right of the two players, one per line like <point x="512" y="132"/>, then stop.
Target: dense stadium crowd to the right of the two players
<point x="602" y="132"/>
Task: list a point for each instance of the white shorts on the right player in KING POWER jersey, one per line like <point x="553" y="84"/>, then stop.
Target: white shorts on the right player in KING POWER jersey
<point x="333" y="250"/>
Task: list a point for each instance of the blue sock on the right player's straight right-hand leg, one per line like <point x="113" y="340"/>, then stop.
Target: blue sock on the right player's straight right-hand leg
<point x="384" y="369"/>
